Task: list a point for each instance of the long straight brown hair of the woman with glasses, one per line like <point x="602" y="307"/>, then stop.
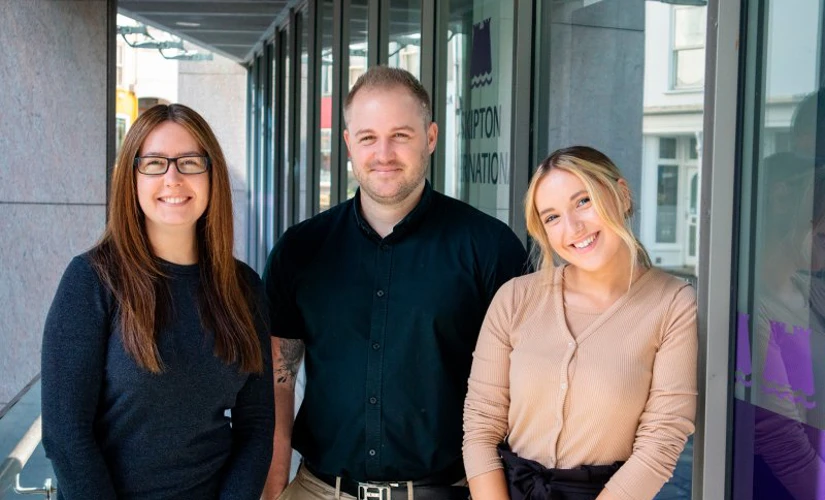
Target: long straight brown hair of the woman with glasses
<point x="124" y="261"/>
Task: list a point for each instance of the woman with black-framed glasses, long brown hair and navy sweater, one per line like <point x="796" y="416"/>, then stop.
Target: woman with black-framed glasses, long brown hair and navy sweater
<point x="157" y="331"/>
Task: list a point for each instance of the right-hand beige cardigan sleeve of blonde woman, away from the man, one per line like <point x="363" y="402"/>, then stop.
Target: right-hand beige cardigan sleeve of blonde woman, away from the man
<point x="669" y="413"/>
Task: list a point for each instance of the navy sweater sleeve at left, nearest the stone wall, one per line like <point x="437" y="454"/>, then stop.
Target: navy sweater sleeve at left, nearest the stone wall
<point x="75" y="341"/>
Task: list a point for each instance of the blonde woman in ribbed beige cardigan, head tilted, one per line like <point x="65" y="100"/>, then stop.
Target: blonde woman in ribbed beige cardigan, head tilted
<point x="583" y="384"/>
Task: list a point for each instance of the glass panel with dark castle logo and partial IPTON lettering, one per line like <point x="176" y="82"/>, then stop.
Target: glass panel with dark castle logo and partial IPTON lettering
<point x="479" y="104"/>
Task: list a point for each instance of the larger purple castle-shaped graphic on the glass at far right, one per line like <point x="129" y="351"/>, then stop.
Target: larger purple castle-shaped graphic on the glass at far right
<point x="788" y="370"/>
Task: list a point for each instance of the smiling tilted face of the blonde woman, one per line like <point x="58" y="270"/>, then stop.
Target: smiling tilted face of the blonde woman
<point x="574" y="229"/>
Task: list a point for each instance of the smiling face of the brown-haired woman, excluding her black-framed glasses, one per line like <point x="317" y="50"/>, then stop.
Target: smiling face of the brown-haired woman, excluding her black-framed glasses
<point x="171" y="202"/>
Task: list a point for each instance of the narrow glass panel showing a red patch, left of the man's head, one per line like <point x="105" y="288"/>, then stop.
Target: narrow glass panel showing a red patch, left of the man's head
<point x="326" y="9"/>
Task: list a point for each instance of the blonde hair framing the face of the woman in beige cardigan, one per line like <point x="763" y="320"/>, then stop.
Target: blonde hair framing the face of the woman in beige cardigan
<point x="613" y="201"/>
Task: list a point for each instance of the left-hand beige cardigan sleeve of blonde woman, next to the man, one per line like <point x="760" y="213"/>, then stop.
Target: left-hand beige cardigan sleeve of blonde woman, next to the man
<point x="487" y="404"/>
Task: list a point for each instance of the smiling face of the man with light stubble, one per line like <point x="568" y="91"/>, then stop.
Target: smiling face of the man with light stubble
<point x="389" y="143"/>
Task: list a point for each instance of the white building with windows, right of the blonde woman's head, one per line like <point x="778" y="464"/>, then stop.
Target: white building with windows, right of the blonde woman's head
<point x="672" y="124"/>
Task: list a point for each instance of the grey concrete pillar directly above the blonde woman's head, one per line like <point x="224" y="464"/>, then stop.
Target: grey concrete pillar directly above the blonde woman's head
<point x="596" y="79"/>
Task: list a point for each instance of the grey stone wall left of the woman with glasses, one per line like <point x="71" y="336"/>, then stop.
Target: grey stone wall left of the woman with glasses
<point x="54" y="142"/>
